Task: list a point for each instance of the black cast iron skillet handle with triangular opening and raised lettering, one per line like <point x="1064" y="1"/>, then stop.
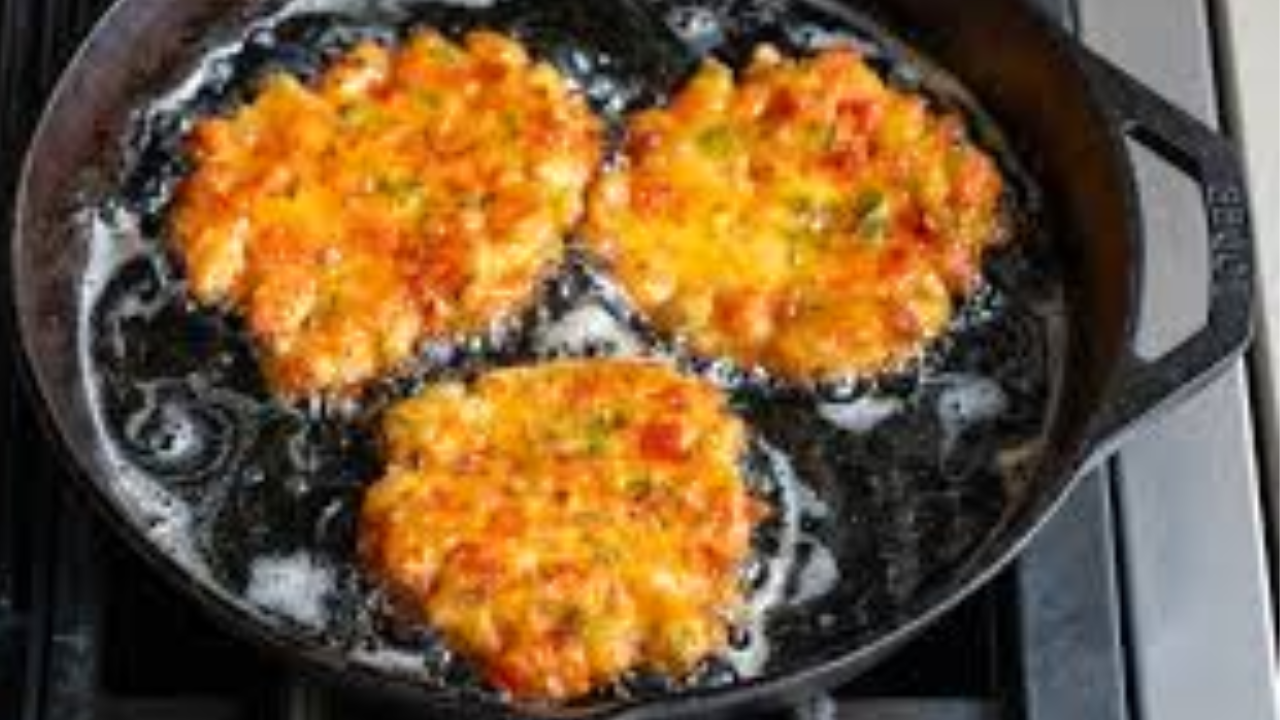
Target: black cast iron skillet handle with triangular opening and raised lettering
<point x="1150" y="386"/>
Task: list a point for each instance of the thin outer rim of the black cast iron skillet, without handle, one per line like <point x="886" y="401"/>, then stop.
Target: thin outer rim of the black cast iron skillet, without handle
<point x="993" y="557"/>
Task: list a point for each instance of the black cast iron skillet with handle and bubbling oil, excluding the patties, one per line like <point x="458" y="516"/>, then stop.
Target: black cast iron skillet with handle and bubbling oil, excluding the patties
<point x="920" y="486"/>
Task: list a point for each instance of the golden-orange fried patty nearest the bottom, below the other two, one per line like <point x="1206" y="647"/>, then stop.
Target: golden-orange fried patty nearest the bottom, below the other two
<point x="566" y="523"/>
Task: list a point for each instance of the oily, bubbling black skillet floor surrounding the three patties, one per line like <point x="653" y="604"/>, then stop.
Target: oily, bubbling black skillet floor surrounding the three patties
<point x="886" y="491"/>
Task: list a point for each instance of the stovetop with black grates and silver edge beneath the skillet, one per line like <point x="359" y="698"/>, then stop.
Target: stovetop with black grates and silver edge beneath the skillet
<point x="1146" y="598"/>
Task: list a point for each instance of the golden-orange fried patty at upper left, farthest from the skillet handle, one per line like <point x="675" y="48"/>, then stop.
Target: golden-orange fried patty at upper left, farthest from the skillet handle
<point x="408" y="195"/>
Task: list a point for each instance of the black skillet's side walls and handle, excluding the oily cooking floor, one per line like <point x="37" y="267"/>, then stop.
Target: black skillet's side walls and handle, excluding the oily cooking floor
<point x="1064" y="111"/>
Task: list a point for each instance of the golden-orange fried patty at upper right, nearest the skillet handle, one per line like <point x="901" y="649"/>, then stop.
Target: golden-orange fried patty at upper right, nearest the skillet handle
<point x="806" y="218"/>
